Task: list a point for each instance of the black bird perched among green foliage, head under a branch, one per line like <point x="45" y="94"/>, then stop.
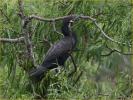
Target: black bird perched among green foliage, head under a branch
<point x="58" y="53"/>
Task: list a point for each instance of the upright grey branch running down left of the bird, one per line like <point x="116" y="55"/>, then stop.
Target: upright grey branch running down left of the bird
<point x="26" y="31"/>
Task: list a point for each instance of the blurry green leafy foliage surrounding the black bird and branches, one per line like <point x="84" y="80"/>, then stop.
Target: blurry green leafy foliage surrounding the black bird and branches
<point x="106" y="77"/>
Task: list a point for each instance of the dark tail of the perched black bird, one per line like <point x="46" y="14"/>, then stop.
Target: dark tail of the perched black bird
<point x="38" y="73"/>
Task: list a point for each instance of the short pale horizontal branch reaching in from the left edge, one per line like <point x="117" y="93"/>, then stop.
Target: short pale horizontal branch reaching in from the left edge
<point x="16" y="40"/>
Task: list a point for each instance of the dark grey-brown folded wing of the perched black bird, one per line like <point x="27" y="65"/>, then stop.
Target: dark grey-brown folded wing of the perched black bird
<point x="58" y="49"/>
